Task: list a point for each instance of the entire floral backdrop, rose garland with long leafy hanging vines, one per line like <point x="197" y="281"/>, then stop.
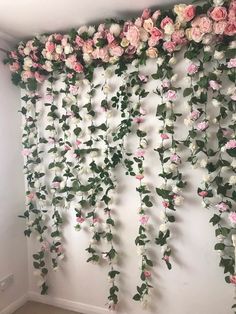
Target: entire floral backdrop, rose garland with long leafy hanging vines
<point x="74" y="143"/>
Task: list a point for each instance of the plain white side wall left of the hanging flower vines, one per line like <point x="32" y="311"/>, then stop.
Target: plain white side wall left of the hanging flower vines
<point x="13" y="245"/>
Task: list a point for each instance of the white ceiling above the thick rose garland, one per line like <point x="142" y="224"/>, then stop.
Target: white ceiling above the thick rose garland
<point x="25" y="18"/>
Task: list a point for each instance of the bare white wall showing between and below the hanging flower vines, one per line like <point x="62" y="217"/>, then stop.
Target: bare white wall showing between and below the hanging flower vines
<point x="196" y="283"/>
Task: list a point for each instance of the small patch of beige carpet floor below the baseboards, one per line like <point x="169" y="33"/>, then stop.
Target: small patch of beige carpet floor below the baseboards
<point x="39" y="308"/>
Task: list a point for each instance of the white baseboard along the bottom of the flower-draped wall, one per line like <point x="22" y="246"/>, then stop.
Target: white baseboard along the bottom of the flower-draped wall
<point x="67" y="304"/>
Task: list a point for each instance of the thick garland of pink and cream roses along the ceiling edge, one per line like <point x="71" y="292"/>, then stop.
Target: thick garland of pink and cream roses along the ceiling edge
<point x="109" y="42"/>
